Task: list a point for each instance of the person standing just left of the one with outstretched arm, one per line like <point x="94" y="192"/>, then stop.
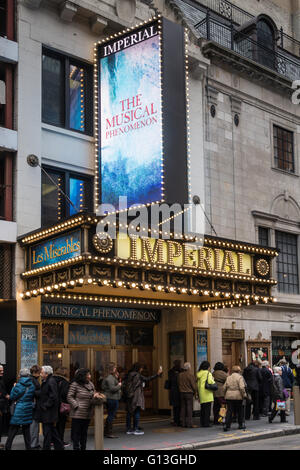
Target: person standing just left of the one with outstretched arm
<point x="111" y="386"/>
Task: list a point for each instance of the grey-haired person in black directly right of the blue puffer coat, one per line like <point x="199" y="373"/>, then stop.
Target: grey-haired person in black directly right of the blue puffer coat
<point x="48" y="409"/>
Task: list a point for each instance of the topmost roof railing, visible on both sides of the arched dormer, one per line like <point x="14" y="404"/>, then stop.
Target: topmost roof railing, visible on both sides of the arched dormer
<point x="239" y="16"/>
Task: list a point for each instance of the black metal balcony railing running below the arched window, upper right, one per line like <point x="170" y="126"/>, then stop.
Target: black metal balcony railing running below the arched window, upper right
<point x="278" y="60"/>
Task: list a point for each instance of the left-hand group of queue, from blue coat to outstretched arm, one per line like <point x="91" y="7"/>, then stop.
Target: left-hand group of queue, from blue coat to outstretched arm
<point x="44" y="397"/>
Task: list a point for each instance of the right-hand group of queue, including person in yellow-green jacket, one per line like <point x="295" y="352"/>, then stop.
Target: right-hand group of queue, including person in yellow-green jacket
<point x="236" y="395"/>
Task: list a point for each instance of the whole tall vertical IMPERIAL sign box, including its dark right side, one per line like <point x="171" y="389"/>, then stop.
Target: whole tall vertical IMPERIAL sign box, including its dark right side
<point x="138" y="106"/>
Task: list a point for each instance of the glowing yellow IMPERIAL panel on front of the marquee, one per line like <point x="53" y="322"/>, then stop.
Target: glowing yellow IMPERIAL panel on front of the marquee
<point x="150" y="250"/>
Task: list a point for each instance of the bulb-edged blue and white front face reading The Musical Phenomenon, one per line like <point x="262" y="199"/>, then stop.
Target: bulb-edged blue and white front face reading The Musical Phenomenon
<point x="130" y="154"/>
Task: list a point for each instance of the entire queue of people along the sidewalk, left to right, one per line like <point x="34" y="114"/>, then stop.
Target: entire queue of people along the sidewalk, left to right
<point x="44" y="397"/>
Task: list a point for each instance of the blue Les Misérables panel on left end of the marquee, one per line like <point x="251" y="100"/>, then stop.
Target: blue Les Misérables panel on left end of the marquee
<point x="56" y="250"/>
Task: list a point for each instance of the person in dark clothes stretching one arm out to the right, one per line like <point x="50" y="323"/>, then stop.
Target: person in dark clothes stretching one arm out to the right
<point x="133" y="390"/>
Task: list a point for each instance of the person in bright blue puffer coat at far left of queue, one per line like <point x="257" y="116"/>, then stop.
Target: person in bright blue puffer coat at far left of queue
<point x="22" y="395"/>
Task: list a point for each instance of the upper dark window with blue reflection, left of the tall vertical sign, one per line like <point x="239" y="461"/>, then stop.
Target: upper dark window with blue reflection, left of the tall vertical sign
<point x="66" y="92"/>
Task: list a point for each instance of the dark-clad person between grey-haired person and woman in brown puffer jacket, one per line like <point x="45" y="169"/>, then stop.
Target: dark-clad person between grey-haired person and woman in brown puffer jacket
<point x="61" y="377"/>
